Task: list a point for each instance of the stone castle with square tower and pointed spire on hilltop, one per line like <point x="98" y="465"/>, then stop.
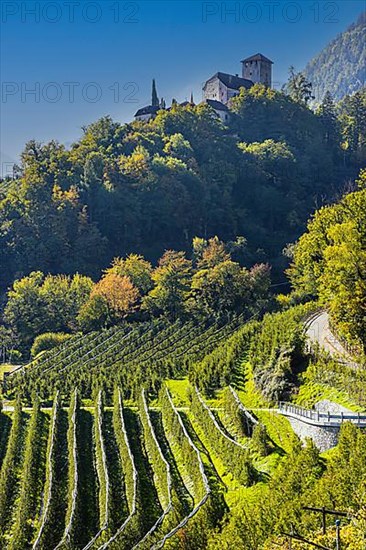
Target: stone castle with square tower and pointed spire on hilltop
<point x="220" y="88"/>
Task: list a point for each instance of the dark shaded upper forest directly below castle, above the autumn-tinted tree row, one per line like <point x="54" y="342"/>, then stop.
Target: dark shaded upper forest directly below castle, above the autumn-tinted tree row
<point x="144" y="188"/>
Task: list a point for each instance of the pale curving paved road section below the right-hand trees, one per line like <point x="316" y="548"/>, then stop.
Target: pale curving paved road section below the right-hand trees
<point x="318" y="330"/>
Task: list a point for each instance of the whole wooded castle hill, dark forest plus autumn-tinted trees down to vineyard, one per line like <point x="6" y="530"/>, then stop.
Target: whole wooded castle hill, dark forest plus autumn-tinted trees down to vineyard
<point x="230" y="199"/>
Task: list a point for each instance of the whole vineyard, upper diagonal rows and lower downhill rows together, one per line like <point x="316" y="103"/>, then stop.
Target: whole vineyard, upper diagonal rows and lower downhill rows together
<point x="94" y="465"/>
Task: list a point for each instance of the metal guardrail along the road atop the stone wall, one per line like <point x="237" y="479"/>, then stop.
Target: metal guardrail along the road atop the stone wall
<point x="311" y="416"/>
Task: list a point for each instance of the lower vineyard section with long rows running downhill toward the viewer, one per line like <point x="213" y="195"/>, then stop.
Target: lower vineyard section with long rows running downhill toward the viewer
<point x="108" y="475"/>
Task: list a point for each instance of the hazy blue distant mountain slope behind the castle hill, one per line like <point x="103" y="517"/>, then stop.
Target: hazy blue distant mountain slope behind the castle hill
<point x="340" y="68"/>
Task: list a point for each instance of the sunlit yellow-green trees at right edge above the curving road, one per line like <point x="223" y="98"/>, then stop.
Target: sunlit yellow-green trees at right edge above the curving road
<point x="330" y="263"/>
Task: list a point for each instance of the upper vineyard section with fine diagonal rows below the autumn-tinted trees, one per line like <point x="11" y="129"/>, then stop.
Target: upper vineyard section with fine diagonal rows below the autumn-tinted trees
<point x="131" y="357"/>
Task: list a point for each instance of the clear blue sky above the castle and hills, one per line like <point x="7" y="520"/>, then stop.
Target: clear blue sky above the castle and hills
<point x="125" y="44"/>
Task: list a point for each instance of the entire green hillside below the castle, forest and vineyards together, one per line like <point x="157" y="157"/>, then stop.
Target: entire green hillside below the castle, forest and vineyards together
<point x="140" y="272"/>
